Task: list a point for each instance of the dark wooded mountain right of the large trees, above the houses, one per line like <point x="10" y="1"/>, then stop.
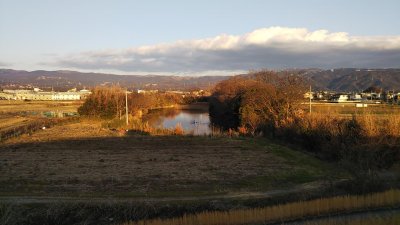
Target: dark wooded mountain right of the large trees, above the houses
<point x="350" y="79"/>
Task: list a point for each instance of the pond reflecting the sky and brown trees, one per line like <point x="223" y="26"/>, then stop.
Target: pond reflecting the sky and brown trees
<point x="194" y="121"/>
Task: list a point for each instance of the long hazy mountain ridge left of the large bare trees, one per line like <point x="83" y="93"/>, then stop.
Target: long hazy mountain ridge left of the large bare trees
<point x="63" y="80"/>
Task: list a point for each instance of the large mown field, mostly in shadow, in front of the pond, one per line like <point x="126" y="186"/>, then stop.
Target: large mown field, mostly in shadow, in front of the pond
<point x="84" y="159"/>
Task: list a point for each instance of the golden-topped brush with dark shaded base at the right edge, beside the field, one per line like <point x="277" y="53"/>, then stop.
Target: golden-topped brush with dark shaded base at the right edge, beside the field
<point x="370" y="138"/>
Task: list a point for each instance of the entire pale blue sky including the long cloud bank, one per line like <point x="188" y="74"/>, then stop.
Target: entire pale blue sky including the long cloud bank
<point x="198" y="37"/>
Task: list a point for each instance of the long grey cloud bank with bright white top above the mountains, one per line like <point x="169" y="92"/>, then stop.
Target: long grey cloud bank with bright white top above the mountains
<point x="273" y="47"/>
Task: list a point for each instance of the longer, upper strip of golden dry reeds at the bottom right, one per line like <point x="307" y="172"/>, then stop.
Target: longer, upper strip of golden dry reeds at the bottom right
<point x="285" y="212"/>
